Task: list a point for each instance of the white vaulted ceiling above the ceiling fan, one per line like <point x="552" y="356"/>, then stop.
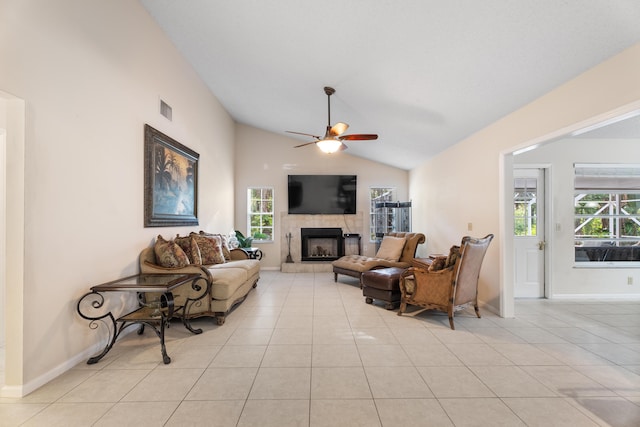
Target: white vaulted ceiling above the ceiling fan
<point x="422" y="74"/>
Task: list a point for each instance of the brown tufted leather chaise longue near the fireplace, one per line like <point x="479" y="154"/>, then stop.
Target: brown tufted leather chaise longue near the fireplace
<point x="355" y="265"/>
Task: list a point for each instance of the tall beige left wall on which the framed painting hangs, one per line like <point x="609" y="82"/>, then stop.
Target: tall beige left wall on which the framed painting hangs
<point x="92" y="74"/>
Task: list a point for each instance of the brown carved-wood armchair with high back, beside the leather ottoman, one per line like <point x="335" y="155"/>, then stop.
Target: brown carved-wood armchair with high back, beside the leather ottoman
<point x="450" y="283"/>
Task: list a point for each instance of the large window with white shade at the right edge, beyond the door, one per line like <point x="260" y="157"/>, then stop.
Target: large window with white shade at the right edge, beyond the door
<point x="607" y="213"/>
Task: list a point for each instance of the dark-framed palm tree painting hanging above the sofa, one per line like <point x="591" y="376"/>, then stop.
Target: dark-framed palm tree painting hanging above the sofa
<point x="170" y="181"/>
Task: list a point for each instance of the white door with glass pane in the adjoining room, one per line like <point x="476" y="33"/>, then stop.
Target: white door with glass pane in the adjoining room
<point x="529" y="240"/>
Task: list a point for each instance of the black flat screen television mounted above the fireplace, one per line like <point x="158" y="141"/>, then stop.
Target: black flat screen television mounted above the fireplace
<point x="322" y="194"/>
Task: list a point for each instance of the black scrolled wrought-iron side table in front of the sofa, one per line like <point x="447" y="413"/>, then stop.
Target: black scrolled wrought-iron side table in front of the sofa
<point x="156" y="314"/>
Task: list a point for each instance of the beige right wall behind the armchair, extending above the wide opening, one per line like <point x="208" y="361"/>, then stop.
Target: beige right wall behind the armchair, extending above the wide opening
<point x="466" y="183"/>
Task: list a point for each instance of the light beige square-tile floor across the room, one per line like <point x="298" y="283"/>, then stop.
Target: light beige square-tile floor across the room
<point x="305" y="351"/>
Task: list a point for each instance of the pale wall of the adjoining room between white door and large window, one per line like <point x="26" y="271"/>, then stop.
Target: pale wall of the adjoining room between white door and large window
<point x="560" y="157"/>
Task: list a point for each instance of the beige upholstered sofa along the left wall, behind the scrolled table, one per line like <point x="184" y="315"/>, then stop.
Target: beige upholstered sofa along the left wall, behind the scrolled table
<point x="229" y="282"/>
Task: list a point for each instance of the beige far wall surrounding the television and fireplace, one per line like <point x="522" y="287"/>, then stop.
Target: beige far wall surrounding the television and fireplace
<point x="265" y="159"/>
